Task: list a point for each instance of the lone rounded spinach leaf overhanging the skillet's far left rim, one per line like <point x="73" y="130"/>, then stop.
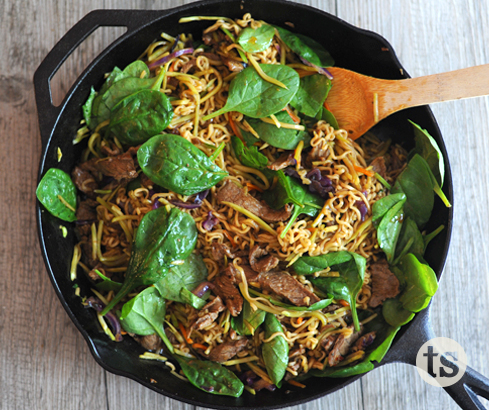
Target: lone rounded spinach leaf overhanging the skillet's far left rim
<point x="53" y="185"/>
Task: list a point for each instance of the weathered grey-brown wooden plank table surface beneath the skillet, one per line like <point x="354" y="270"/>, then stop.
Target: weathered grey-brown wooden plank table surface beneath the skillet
<point x="44" y="361"/>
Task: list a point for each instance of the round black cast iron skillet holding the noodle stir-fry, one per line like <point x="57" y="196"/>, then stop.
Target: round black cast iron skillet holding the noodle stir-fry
<point x="352" y="48"/>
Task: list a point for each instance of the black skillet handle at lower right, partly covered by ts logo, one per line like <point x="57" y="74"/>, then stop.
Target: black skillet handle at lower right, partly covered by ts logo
<point x="466" y="390"/>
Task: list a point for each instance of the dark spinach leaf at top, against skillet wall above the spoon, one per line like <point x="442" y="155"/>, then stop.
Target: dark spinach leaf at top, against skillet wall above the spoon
<point x="306" y="47"/>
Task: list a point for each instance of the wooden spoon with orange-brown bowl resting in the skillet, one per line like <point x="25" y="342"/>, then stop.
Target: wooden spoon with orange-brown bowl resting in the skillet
<point x="359" y="102"/>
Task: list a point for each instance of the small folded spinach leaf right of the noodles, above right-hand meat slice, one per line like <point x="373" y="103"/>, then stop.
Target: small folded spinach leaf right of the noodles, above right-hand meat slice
<point x="389" y="228"/>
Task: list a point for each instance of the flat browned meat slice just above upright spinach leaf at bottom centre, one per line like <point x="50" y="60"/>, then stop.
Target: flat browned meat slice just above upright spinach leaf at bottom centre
<point x="282" y="284"/>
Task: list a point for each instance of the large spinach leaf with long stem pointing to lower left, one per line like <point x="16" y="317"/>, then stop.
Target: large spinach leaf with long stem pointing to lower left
<point x="161" y="239"/>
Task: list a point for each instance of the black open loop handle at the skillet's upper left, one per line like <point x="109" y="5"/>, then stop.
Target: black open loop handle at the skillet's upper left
<point x="47" y="112"/>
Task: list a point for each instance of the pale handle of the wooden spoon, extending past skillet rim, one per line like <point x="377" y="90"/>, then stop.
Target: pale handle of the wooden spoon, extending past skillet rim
<point x="465" y="83"/>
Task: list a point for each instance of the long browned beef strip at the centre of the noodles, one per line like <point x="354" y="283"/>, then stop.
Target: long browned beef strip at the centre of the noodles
<point x="230" y="192"/>
